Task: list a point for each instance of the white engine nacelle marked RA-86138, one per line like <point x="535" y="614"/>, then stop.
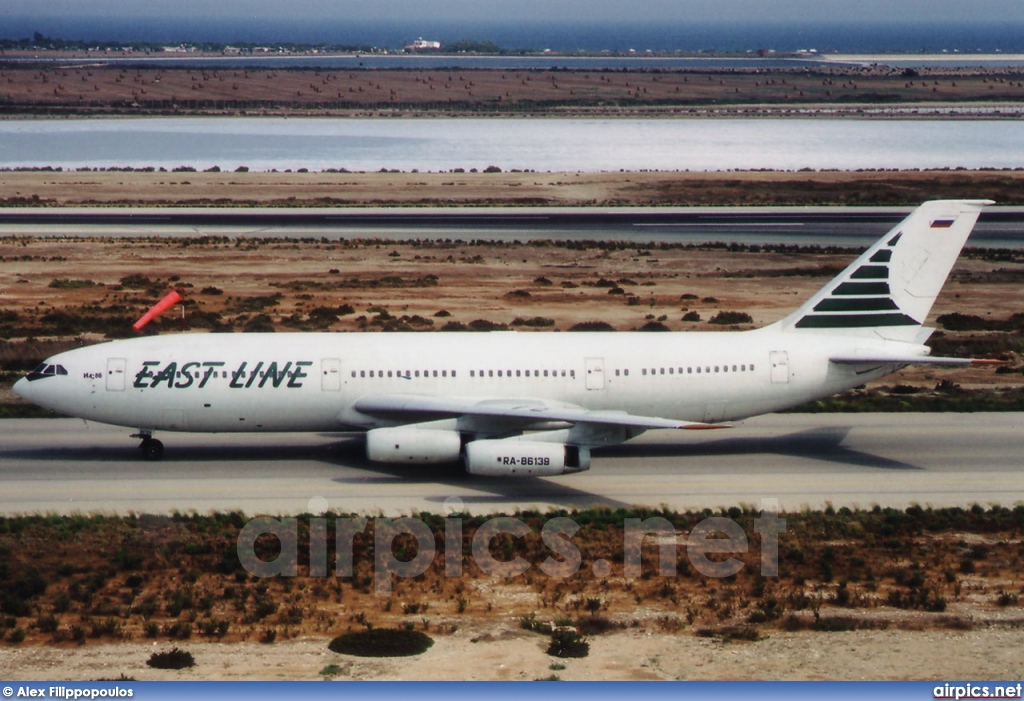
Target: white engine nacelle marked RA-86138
<point x="525" y="459"/>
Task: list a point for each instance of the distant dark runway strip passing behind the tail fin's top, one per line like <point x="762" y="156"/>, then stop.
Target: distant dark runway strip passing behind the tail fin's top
<point x="849" y="227"/>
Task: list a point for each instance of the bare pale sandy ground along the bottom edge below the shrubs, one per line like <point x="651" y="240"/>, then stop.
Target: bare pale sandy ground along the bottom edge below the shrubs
<point x="511" y="654"/>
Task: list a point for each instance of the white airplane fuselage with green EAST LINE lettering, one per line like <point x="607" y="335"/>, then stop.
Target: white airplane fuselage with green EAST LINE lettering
<point x="311" y="382"/>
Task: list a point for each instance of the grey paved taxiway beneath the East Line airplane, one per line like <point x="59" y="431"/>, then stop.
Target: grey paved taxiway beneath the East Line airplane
<point x="941" y="460"/>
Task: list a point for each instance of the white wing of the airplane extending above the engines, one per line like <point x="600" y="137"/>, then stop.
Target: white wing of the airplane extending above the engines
<point x="517" y="411"/>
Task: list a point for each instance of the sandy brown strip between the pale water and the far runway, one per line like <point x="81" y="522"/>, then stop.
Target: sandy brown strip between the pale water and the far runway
<point x="34" y="189"/>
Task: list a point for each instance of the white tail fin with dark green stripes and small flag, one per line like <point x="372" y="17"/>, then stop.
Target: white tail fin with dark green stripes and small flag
<point x="889" y="290"/>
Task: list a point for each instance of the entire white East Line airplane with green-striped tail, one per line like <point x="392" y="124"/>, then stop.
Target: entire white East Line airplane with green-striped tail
<point x="522" y="405"/>
